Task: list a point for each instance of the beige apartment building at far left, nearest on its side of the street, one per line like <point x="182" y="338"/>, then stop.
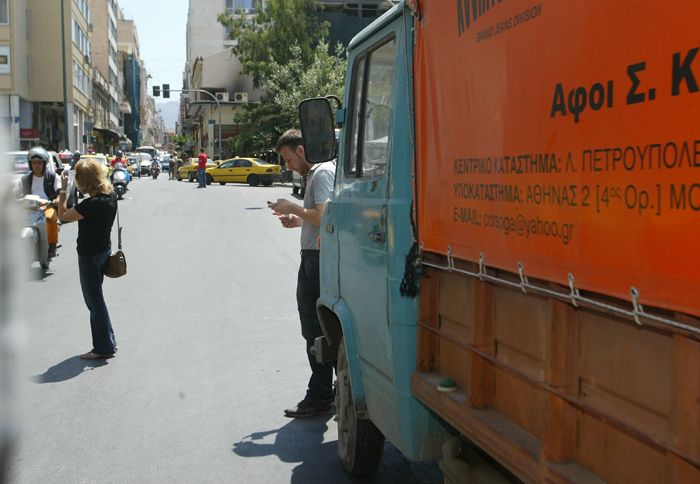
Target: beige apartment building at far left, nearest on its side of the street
<point x="32" y="42"/>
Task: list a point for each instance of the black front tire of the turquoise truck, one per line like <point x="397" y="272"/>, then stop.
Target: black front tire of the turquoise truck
<point x="360" y="443"/>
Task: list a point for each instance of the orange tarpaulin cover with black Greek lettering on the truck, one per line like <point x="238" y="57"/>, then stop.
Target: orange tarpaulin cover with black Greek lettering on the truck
<point x="564" y="135"/>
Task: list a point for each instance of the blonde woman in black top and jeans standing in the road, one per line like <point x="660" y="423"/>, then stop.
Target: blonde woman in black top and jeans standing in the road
<point x="95" y="216"/>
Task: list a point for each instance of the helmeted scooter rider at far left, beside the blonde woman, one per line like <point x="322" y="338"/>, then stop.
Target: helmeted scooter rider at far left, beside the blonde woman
<point x="44" y="183"/>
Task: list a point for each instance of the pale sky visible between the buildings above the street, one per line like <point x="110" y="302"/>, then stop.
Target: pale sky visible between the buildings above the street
<point x="162" y="29"/>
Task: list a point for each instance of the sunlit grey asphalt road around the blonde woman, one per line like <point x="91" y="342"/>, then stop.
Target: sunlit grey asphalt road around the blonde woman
<point x="209" y="354"/>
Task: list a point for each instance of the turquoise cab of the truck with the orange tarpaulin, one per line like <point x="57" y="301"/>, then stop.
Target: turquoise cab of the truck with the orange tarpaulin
<point x="366" y="235"/>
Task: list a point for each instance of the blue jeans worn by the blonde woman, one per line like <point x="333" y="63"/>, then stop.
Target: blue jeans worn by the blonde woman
<point x="91" y="276"/>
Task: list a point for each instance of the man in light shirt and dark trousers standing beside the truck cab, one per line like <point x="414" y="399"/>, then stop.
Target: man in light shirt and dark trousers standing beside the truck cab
<point x="320" y="177"/>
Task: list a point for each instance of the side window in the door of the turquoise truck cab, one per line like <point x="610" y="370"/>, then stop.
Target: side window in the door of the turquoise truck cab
<point x="372" y="105"/>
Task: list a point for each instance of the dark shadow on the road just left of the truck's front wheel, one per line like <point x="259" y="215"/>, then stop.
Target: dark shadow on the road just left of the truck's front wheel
<point x="301" y="440"/>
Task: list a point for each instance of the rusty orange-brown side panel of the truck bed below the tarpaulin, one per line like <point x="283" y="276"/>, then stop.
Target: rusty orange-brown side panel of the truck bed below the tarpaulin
<point x="558" y="393"/>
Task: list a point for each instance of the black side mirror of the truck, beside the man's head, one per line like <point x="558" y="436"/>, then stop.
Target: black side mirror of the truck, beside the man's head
<point x="317" y="130"/>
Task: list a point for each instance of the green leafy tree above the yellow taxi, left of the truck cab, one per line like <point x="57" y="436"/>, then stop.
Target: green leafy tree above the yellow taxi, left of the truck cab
<point x="284" y="50"/>
